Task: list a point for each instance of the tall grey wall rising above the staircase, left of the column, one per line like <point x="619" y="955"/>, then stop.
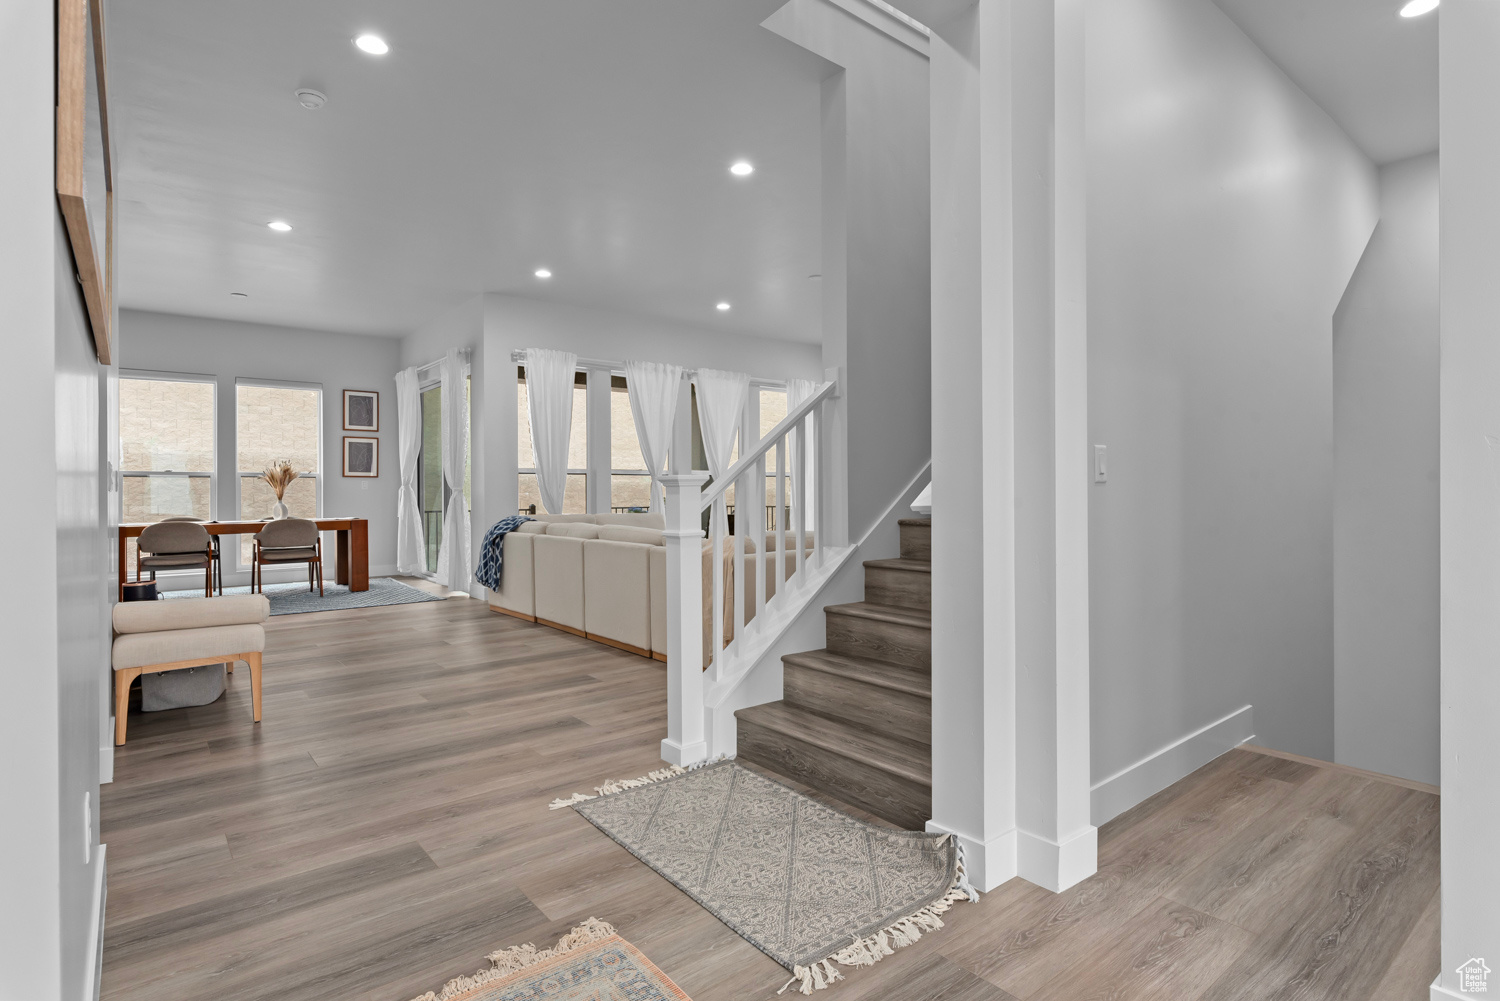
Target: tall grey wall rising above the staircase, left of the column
<point x="877" y="244"/>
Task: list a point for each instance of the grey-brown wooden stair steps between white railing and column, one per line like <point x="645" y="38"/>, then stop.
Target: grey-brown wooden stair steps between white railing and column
<point x="856" y="718"/>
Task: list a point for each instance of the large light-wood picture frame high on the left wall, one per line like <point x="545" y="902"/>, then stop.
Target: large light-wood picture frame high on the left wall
<point x="86" y="161"/>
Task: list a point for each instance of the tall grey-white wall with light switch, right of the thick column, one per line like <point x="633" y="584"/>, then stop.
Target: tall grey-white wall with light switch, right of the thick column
<point x="1226" y="217"/>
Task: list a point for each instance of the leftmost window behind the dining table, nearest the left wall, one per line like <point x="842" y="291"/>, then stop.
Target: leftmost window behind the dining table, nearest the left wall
<point x="166" y="449"/>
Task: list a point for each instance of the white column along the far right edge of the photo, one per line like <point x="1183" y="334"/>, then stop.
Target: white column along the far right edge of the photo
<point x="1469" y="487"/>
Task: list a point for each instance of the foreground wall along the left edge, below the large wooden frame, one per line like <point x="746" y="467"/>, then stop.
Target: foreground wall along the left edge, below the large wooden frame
<point x="55" y="610"/>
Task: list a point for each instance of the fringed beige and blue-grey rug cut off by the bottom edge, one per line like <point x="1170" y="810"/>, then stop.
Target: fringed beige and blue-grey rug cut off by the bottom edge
<point x="589" y="964"/>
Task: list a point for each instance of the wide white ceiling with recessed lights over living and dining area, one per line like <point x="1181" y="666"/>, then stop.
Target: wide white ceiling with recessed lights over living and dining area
<point x="592" y="137"/>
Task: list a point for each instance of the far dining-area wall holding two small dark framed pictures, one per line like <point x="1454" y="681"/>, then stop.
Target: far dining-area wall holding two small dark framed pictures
<point x="229" y="350"/>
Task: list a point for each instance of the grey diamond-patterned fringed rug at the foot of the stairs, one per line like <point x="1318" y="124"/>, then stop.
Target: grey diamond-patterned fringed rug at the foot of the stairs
<point x="806" y="885"/>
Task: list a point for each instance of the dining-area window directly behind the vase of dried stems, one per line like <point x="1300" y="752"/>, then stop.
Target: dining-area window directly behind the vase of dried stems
<point x="274" y="424"/>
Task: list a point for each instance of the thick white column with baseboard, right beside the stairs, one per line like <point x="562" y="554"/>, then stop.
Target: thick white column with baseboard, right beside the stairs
<point x="1010" y="439"/>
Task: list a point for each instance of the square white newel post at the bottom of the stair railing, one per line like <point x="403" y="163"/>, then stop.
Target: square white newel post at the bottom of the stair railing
<point x="685" y="630"/>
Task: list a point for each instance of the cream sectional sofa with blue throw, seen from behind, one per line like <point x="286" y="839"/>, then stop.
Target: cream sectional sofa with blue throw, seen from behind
<point x="605" y="577"/>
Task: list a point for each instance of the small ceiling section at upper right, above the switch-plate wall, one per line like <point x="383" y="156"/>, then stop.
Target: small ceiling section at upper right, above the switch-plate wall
<point x="1373" y="71"/>
